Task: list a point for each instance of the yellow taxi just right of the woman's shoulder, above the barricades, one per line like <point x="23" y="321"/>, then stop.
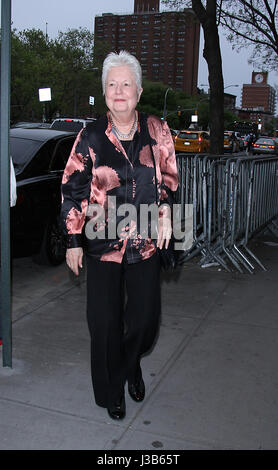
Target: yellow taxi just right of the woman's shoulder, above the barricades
<point x="192" y="141"/>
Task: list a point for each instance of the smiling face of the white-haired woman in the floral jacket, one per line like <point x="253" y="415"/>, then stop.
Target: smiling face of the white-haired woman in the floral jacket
<point x="121" y="92"/>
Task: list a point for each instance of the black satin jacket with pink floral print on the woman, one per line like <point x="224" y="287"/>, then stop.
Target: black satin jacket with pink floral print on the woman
<point x="101" y="182"/>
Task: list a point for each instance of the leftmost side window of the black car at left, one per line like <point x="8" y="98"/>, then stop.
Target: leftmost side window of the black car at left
<point x="22" y="152"/>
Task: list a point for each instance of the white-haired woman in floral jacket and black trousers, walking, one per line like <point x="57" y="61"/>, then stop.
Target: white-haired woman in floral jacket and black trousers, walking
<point x="109" y="172"/>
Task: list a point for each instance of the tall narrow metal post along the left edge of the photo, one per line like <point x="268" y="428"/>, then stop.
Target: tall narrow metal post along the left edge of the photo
<point x="5" y="182"/>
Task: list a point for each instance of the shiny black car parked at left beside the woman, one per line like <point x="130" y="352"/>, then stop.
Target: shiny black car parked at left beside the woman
<point x="39" y="157"/>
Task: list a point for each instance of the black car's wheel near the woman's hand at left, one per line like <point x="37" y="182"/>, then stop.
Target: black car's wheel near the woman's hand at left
<point x="53" y="248"/>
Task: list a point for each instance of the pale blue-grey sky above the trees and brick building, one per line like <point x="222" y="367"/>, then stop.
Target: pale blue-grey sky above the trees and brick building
<point x="52" y="16"/>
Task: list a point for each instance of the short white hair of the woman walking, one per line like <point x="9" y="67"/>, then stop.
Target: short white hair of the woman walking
<point x="115" y="59"/>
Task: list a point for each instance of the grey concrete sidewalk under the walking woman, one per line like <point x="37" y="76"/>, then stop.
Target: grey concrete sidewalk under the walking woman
<point x="211" y="380"/>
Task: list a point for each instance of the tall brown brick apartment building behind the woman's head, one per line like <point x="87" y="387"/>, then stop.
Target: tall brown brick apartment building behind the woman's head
<point x="166" y="44"/>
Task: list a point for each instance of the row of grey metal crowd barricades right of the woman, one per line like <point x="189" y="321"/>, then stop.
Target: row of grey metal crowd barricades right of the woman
<point x="233" y="197"/>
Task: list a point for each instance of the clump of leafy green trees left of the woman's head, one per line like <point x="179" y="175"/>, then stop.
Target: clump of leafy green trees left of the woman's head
<point x="68" y="65"/>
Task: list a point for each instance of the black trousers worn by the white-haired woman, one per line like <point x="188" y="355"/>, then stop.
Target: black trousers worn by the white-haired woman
<point x="123" y="311"/>
